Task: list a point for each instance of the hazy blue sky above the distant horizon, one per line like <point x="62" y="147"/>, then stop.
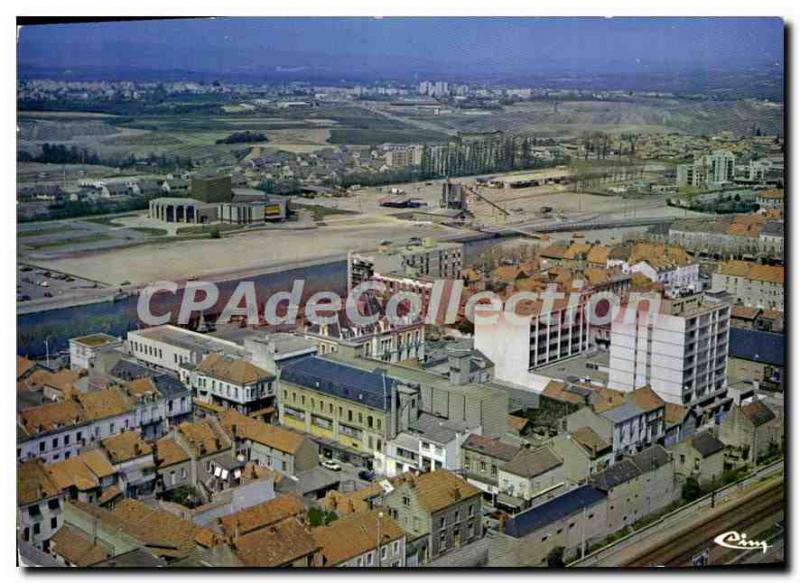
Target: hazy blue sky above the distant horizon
<point x="407" y="46"/>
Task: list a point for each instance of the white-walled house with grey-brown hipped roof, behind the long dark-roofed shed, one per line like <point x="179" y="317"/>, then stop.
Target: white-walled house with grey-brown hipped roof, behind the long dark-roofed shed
<point x="531" y="476"/>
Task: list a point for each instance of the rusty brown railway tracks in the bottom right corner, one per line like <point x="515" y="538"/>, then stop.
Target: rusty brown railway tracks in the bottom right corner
<point x="679" y="550"/>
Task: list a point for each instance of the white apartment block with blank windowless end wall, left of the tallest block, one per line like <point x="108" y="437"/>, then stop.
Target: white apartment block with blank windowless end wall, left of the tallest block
<point x="517" y="347"/>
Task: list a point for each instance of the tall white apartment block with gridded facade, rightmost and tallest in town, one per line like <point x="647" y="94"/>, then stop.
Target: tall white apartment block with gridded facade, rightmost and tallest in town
<point x="681" y="352"/>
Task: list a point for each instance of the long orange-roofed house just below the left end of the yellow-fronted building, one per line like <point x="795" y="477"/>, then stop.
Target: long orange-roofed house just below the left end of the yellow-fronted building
<point x="278" y="448"/>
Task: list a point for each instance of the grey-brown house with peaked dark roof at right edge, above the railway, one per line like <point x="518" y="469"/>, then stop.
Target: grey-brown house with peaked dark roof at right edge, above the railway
<point x="751" y="429"/>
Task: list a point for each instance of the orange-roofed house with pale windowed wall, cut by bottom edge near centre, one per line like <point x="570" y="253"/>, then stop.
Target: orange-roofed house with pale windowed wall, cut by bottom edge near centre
<point x="364" y="539"/>
